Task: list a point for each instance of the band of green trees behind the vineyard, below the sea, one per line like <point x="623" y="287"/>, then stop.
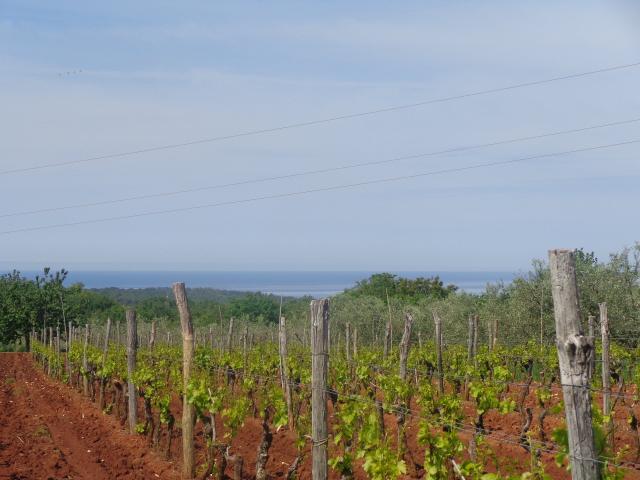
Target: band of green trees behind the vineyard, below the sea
<point x="520" y="311"/>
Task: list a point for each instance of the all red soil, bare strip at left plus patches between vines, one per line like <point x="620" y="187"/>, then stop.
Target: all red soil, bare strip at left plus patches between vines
<point x="49" y="430"/>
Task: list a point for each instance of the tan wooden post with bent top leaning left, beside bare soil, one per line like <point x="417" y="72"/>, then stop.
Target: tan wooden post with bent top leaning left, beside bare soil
<point x="188" y="412"/>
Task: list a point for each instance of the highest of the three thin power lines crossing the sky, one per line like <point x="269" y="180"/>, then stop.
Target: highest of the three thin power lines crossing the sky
<point x="310" y="123"/>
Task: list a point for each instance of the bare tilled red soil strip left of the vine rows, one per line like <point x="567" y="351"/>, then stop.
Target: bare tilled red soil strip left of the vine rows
<point x="48" y="431"/>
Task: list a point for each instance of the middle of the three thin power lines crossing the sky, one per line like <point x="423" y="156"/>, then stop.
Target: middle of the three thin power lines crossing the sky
<point x="319" y="171"/>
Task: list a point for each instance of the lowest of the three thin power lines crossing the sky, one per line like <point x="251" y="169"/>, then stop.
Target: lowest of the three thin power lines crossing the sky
<point x="321" y="189"/>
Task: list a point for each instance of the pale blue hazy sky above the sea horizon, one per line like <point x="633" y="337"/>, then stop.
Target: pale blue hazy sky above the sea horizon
<point x="81" y="80"/>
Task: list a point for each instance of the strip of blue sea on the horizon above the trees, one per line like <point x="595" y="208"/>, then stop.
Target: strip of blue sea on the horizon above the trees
<point x="286" y="283"/>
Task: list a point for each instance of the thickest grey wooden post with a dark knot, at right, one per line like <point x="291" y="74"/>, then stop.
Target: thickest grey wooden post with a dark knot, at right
<point x="574" y="355"/>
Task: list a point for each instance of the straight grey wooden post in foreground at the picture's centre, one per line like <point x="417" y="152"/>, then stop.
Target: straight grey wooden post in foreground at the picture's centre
<point x="319" y="361"/>
